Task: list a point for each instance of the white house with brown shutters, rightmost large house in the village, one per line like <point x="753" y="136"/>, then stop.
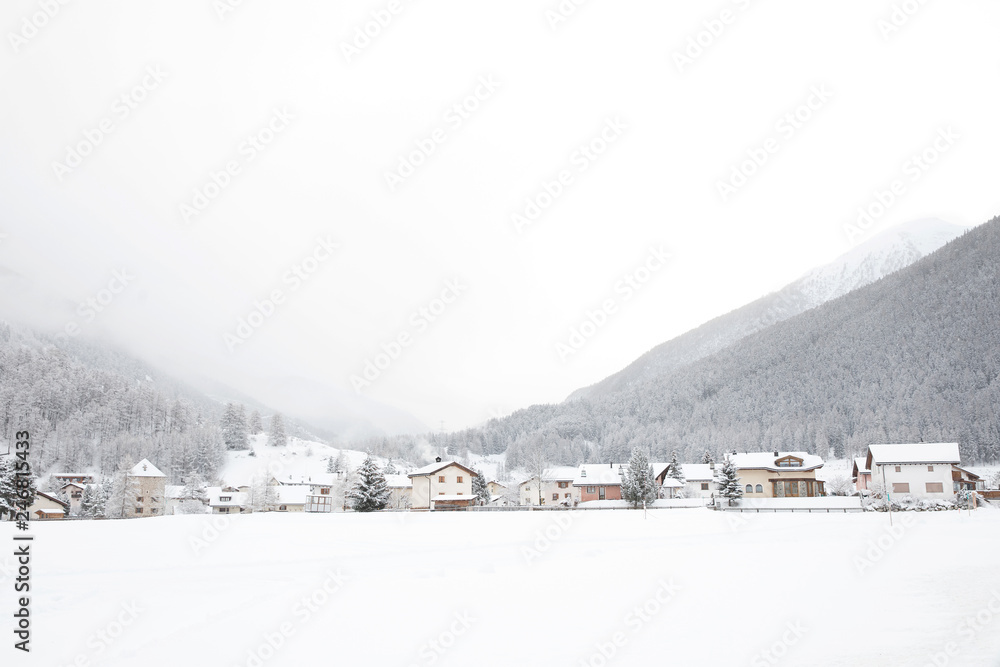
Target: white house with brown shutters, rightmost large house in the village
<point x="923" y="470"/>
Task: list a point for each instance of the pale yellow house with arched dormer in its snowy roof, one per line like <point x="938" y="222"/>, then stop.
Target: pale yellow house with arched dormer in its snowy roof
<point x="779" y="474"/>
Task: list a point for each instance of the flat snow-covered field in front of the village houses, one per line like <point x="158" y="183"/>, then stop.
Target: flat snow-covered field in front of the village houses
<point x="683" y="586"/>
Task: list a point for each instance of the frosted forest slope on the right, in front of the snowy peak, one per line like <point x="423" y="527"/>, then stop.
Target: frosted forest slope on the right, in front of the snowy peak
<point x="914" y="356"/>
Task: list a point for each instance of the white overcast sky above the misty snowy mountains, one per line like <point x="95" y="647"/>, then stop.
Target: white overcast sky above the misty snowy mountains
<point x="323" y="175"/>
